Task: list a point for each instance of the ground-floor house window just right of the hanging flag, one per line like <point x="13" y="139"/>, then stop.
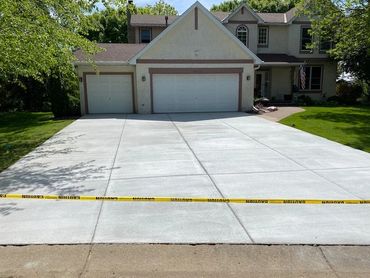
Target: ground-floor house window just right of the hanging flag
<point x="310" y="78"/>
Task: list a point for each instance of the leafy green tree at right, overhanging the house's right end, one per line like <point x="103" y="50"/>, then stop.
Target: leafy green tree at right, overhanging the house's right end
<point x="347" y="25"/>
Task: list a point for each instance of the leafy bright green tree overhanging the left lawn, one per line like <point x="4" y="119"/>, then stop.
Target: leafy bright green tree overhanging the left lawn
<point x="38" y="37"/>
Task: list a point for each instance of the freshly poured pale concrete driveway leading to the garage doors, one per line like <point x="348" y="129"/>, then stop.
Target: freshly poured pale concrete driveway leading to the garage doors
<point x="204" y="155"/>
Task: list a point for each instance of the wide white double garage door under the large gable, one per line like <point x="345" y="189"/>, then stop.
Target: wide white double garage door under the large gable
<point x="195" y="92"/>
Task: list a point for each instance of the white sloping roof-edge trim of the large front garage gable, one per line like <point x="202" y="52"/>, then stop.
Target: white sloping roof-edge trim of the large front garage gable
<point x="213" y="19"/>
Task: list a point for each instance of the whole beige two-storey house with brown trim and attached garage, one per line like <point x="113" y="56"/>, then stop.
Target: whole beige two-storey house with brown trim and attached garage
<point x="206" y="62"/>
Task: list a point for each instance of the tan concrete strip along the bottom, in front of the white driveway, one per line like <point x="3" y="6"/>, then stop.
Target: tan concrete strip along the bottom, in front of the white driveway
<point x="123" y="260"/>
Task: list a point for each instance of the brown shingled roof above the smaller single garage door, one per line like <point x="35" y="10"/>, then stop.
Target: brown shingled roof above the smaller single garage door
<point x="114" y="52"/>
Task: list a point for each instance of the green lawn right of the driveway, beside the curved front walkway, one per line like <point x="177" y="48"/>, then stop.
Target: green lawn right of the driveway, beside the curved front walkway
<point x="347" y="125"/>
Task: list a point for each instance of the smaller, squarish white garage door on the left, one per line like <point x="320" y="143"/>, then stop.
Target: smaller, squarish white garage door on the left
<point x="109" y="93"/>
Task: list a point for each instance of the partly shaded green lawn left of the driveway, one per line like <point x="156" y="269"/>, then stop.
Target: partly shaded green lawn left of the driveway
<point x="21" y="132"/>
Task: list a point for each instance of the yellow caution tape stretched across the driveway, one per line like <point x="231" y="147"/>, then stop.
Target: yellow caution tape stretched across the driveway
<point x="184" y="199"/>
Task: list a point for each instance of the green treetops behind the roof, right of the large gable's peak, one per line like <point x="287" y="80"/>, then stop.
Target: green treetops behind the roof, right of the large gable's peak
<point x="266" y="6"/>
